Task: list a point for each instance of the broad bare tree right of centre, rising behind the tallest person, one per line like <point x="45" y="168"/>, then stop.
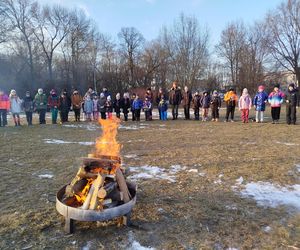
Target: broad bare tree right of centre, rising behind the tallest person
<point x="187" y="46"/>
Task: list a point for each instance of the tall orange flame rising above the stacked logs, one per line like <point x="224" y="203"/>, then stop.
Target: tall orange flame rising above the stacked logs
<point x="107" y="143"/>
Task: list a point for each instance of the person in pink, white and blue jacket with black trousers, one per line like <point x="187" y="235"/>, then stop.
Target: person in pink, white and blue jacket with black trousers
<point x="275" y="99"/>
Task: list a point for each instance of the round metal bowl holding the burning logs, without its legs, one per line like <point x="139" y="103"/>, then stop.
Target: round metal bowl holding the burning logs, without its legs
<point x="93" y="215"/>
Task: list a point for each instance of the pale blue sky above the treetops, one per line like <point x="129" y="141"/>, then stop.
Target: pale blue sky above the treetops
<point x="148" y="16"/>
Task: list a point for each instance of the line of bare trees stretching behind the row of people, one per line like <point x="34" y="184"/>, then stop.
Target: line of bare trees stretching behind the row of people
<point x="52" y="46"/>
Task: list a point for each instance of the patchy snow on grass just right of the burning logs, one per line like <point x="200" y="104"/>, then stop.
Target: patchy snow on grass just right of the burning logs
<point x="154" y="172"/>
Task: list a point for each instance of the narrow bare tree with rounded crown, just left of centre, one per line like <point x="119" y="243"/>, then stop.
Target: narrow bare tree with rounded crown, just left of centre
<point x="131" y="41"/>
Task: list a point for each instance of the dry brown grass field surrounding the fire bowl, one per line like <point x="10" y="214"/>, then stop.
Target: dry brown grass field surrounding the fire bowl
<point x="194" y="211"/>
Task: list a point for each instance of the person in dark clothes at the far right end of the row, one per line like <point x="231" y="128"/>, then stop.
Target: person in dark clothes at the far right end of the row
<point x="292" y="101"/>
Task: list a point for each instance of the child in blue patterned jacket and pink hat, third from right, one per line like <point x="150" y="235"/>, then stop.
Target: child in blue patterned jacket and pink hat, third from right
<point x="259" y="102"/>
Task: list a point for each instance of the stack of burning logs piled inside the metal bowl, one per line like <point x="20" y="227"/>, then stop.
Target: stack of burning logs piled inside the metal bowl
<point x="99" y="184"/>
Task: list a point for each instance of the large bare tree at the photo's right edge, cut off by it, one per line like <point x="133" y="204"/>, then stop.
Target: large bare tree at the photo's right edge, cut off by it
<point x="283" y="35"/>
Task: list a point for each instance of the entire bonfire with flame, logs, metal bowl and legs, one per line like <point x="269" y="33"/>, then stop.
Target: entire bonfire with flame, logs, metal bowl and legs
<point x="99" y="190"/>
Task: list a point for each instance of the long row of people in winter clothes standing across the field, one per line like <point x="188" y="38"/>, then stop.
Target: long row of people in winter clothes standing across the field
<point x="92" y="104"/>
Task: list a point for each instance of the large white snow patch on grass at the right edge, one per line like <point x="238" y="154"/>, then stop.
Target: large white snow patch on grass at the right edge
<point x="268" y="194"/>
